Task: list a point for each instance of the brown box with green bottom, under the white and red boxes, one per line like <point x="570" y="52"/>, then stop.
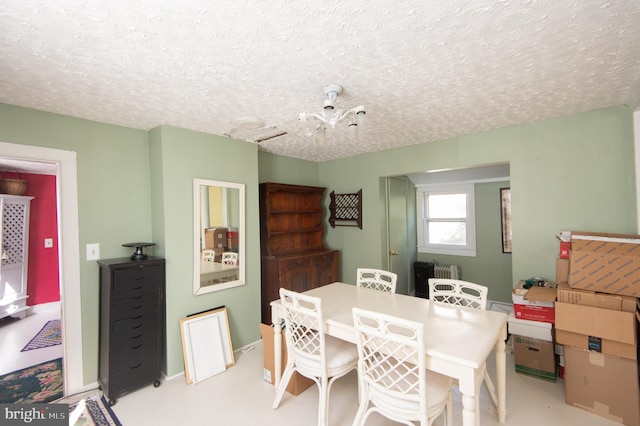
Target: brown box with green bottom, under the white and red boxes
<point x="534" y="357"/>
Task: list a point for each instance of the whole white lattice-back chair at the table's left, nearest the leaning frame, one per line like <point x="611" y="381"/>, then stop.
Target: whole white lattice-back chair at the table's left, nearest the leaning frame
<point x="309" y="352"/>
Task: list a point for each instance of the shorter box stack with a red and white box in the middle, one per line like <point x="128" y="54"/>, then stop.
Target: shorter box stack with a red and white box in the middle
<point x="531" y="327"/>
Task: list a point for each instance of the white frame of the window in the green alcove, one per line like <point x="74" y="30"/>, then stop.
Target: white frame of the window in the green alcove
<point x="422" y="193"/>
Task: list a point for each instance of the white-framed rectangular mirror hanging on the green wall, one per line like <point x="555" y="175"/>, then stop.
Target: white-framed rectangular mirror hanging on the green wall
<point x="218" y="224"/>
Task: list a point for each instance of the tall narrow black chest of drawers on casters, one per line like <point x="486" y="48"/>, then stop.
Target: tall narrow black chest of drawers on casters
<point x="131" y="324"/>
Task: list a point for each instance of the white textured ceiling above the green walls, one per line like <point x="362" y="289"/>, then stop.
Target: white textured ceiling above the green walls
<point x="424" y="70"/>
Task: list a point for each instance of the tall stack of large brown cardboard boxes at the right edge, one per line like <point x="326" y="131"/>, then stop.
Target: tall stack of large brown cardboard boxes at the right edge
<point x="597" y="323"/>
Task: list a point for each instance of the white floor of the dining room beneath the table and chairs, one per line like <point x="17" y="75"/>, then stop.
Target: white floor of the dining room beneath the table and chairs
<point x="239" y="396"/>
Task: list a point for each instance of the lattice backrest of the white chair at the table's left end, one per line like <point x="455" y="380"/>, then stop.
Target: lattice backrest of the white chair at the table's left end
<point x="304" y="332"/>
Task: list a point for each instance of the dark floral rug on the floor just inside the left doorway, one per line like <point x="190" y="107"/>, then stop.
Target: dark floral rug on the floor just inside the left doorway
<point x="39" y="383"/>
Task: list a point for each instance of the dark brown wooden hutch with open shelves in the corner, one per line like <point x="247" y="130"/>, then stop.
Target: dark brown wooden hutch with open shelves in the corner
<point x="291" y="240"/>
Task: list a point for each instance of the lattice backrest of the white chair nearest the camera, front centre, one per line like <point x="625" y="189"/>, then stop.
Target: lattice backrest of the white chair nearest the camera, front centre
<point x="392" y="363"/>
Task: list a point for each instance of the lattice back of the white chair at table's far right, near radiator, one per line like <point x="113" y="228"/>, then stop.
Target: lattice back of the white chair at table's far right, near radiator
<point x="458" y="292"/>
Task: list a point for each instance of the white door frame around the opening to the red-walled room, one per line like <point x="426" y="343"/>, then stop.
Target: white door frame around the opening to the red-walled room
<point x="68" y="253"/>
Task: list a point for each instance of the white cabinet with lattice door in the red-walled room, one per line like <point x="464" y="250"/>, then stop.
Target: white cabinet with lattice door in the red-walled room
<point x="14" y="244"/>
